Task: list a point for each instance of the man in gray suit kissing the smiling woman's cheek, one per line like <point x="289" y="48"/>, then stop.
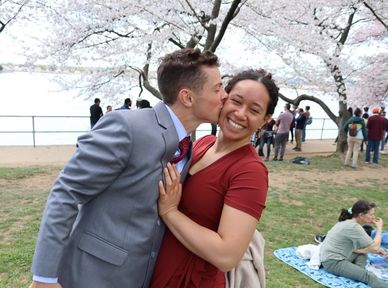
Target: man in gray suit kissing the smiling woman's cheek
<point x="100" y="227"/>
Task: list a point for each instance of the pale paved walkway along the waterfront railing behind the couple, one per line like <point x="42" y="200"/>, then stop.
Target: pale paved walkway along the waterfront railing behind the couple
<point x="59" y="155"/>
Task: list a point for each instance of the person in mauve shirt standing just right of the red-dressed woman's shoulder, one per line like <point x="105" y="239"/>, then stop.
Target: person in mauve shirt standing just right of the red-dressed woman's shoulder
<point x="283" y="123"/>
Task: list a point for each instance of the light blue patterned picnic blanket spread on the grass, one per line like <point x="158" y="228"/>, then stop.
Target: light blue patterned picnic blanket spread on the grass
<point x="288" y="255"/>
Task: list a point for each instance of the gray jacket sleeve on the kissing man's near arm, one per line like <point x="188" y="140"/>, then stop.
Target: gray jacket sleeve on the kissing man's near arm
<point x="101" y="156"/>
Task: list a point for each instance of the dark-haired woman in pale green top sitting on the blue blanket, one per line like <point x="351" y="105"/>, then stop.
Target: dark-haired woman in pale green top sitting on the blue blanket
<point x="344" y="251"/>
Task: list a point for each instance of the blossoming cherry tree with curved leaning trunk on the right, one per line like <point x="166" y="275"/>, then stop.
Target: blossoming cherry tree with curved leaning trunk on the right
<point x="324" y="44"/>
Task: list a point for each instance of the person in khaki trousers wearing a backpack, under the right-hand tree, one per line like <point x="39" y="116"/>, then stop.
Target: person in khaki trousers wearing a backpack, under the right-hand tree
<point x="354" y="142"/>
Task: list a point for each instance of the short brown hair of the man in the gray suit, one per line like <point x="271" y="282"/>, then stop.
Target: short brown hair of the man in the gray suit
<point x="182" y="69"/>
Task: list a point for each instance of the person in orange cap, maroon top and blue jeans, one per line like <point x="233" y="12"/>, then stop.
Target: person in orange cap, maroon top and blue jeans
<point x="375" y="128"/>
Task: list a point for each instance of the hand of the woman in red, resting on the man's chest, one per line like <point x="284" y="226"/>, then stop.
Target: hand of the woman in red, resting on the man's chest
<point x="170" y="195"/>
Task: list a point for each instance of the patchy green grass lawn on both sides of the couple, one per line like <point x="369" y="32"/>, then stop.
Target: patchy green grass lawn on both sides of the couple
<point x="295" y="212"/>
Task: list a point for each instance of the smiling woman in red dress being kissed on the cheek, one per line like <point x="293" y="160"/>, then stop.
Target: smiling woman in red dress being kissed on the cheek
<point x="223" y="196"/>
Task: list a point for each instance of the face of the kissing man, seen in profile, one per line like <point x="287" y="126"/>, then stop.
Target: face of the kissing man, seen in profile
<point x="207" y="102"/>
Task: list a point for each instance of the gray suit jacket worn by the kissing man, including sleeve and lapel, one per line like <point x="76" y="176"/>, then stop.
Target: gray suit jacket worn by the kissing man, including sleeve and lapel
<point x="100" y="227"/>
